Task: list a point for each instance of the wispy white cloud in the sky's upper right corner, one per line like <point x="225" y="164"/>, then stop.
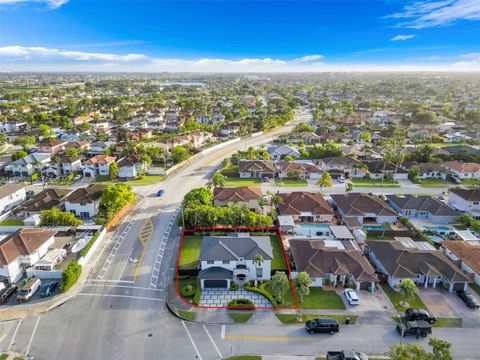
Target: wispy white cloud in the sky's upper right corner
<point x="421" y="14"/>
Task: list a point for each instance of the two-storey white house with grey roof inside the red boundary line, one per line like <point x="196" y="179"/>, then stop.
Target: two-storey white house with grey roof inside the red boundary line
<point x="224" y="259"/>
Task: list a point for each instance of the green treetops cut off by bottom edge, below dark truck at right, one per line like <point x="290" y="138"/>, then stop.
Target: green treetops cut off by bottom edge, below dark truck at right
<point x="441" y="351"/>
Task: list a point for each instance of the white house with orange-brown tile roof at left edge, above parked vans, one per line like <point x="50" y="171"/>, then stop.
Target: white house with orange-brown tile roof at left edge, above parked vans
<point x="21" y="250"/>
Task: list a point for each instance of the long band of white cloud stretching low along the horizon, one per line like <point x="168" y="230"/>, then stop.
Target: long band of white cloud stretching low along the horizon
<point x="24" y="58"/>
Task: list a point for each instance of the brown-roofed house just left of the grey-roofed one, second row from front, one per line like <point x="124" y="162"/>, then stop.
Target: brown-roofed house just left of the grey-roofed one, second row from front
<point x="359" y="208"/>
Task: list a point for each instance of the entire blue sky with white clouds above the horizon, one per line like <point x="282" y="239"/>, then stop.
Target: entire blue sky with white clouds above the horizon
<point x="239" y="36"/>
